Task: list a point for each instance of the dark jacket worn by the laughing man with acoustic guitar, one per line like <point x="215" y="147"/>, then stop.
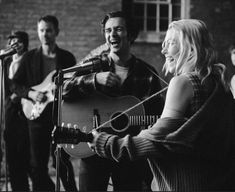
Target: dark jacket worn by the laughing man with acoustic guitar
<point x="142" y="81"/>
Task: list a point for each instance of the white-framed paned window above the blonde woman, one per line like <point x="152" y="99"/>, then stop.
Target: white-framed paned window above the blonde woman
<point x="153" y="16"/>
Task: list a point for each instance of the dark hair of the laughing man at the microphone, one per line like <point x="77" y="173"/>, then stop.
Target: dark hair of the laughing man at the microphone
<point x="132" y="29"/>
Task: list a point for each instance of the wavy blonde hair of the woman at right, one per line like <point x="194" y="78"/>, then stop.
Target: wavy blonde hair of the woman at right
<point x="197" y="53"/>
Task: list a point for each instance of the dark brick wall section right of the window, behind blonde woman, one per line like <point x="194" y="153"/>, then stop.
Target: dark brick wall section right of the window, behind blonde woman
<point x="219" y="16"/>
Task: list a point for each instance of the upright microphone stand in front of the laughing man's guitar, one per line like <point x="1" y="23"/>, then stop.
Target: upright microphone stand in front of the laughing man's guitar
<point x="57" y="123"/>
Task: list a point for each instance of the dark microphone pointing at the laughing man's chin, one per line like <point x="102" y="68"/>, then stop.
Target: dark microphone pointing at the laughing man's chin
<point x="89" y="66"/>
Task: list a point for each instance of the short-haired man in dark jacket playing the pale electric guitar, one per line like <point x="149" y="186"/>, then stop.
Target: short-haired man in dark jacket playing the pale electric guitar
<point x="35" y="66"/>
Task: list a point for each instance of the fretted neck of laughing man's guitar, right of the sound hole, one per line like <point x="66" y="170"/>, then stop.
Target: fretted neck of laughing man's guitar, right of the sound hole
<point x="142" y="120"/>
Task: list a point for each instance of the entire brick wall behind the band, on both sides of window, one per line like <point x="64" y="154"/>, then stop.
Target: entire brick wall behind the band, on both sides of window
<point x="80" y="24"/>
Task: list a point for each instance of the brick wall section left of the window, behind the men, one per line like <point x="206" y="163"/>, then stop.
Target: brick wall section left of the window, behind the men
<point x="79" y="21"/>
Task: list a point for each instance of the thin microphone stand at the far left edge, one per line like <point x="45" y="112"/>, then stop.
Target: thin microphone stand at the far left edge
<point x="2" y="110"/>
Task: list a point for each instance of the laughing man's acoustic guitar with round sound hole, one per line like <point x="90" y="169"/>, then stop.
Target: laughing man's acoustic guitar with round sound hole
<point x="104" y="112"/>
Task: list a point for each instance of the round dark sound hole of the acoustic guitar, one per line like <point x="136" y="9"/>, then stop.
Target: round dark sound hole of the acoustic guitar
<point x="119" y="123"/>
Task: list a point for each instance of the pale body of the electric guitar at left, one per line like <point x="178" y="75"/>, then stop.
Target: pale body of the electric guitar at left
<point x="32" y="110"/>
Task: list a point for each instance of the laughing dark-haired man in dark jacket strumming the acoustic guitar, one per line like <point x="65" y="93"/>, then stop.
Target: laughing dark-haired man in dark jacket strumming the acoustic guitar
<point x="127" y="75"/>
